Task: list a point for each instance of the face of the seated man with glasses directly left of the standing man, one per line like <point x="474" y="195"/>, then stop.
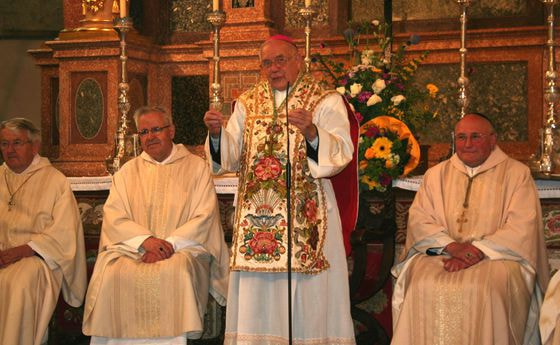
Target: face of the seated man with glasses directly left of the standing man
<point x="158" y="138"/>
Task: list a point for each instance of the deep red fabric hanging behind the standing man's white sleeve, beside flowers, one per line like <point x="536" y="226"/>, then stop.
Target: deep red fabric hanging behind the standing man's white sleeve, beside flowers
<point x="345" y="185"/>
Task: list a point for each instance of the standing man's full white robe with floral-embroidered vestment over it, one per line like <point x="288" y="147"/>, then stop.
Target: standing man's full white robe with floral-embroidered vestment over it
<point x="254" y="143"/>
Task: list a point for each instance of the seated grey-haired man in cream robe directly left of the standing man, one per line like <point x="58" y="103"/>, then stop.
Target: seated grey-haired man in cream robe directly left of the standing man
<point x="162" y="248"/>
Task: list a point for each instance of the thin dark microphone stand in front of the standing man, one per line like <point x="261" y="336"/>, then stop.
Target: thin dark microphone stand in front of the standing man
<point x="289" y="216"/>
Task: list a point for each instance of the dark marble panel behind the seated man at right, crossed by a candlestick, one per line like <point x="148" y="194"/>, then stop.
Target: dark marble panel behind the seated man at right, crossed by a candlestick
<point x="507" y="106"/>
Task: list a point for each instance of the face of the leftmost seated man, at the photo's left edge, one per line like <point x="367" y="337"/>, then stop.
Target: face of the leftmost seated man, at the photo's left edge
<point x="17" y="150"/>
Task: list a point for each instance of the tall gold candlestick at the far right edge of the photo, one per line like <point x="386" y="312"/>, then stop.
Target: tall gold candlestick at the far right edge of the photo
<point x="550" y="95"/>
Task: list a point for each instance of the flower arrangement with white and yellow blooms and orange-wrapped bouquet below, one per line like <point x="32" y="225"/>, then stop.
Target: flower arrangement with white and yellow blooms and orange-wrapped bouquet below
<point x="379" y="83"/>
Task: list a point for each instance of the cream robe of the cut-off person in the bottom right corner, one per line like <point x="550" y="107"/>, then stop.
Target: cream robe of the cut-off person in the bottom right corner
<point x="550" y="313"/>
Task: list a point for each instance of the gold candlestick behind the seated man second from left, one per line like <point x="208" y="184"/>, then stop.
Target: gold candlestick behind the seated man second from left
<point x="126" y="143"/>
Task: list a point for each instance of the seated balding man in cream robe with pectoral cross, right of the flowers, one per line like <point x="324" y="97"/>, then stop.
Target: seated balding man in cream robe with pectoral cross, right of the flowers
<point x="475" y="263"/>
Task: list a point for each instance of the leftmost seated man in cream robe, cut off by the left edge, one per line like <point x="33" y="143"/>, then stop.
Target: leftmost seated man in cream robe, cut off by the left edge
<point x="41" y="239"/>
